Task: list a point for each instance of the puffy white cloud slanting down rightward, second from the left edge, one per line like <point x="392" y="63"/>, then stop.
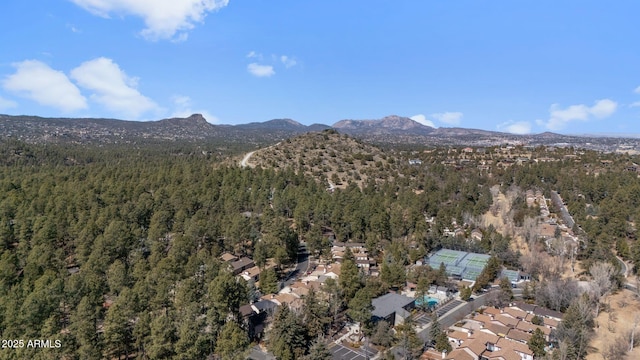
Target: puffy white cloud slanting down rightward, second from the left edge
<point x="112" y="87"/>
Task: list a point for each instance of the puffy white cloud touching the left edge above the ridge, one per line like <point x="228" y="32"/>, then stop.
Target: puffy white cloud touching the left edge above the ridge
<point x="35" y="80"/>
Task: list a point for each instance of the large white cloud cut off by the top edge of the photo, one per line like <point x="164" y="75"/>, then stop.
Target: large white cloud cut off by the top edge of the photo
<point x="163" y="18"/>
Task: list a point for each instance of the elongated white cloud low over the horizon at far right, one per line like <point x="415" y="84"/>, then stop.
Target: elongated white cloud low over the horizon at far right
<point x="559" y="117"/>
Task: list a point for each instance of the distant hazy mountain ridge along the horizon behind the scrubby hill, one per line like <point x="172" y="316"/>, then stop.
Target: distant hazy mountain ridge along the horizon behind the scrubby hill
<point x="392" y="129"/>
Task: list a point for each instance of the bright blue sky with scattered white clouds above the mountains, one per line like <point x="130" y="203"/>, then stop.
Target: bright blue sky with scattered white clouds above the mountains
<point x="568" y="66"/>
